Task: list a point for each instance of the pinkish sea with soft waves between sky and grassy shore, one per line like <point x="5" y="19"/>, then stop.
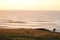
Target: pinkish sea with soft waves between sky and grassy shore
<point x="30" y="19"/>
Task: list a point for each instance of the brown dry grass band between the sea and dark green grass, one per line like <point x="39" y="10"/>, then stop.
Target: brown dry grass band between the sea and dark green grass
<point x="33" y="32"/>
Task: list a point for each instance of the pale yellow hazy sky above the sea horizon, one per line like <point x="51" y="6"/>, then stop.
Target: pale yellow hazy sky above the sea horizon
<point x="29" y="4"/>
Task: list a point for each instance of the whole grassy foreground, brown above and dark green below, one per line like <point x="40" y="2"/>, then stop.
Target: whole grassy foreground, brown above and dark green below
<point x="26" y="34"/>
